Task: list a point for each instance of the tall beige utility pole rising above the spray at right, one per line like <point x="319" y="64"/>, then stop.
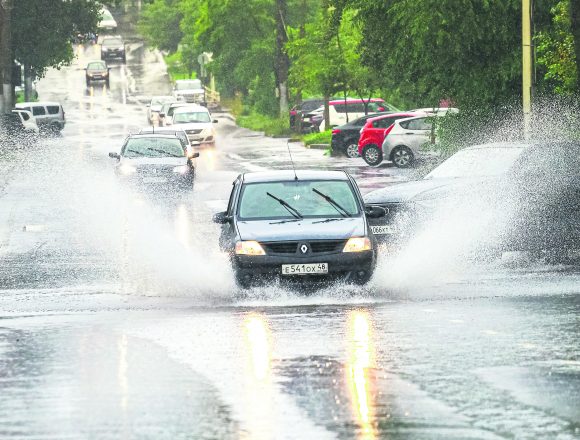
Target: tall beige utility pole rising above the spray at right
<point x="527" y="65"/>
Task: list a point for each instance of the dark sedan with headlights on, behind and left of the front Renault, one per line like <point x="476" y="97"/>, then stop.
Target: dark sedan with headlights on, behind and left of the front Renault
<point x="155" y="160"/>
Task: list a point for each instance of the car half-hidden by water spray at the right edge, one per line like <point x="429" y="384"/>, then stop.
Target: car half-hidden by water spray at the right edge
<point x="530" y="193"/>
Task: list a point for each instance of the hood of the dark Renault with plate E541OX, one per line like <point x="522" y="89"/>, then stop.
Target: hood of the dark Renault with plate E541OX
<point x="306" y="229"/>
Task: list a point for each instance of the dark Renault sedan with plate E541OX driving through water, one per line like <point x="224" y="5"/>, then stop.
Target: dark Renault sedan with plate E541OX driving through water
<point x="298" y="226"/>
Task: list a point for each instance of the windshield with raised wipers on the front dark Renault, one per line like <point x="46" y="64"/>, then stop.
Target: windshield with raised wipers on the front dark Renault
<point x="287" y="200"/>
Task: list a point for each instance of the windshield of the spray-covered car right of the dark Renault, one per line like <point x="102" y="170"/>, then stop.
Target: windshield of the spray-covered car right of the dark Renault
<point x="477" y="162"/>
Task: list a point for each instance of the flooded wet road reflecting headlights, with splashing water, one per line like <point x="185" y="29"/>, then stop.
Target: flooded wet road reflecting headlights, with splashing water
<point x="119" y="317"/>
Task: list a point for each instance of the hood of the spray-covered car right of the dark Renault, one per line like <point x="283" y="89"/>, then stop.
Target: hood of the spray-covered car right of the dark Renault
<point x="425" y="189"/>
